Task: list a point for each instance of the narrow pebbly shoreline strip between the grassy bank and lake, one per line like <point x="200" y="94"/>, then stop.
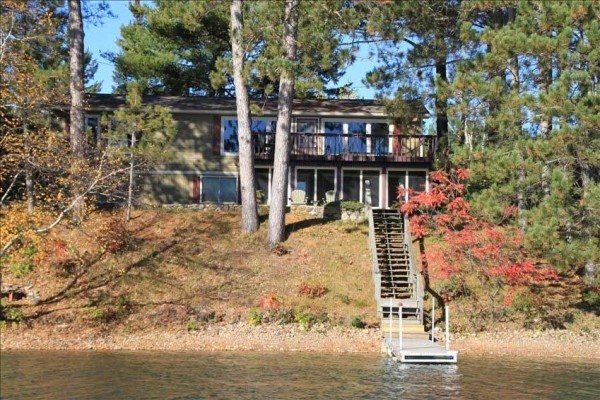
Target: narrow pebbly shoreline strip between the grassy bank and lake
<point x="292" y="338"/>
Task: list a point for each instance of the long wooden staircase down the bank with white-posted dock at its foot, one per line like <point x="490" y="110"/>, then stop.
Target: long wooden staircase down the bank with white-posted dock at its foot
<point x="399" y="291"/>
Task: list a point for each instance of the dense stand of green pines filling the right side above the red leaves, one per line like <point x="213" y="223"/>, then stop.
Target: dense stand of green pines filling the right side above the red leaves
<point x="528" y="99"/>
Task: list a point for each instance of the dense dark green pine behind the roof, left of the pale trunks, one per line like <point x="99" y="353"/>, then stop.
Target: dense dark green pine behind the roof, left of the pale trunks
<point x="172" y="47"/>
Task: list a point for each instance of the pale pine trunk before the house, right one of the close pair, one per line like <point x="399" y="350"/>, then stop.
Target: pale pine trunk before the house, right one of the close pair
<point x="282" y="134"/>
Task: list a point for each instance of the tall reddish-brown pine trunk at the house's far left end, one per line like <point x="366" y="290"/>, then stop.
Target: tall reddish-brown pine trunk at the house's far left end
<point x="77" y="126"/>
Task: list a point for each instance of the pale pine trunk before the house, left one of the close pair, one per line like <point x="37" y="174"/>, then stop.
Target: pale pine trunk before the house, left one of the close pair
<point x="246" y="152"/>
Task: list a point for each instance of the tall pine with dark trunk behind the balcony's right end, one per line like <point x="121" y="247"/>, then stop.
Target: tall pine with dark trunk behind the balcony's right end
<point x="417" y="44"/>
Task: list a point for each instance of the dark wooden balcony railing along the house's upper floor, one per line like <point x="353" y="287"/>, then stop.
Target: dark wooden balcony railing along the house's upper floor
<point x="352" y="148"/>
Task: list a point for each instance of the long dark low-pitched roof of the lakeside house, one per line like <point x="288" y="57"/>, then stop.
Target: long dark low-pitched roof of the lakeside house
<point x="226" y="105"/>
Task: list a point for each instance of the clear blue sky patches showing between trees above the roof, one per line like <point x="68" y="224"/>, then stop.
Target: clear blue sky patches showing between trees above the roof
<point x="104" y="38"/>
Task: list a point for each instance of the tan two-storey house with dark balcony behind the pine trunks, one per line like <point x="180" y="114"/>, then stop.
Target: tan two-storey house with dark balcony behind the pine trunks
<point x="336" y="146"/>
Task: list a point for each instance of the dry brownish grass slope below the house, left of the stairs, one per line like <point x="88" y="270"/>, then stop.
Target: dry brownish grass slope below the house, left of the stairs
<point x="174" y="266"/>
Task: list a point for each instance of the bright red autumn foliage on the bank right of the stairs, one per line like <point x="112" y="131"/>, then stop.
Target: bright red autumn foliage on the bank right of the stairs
<point x="471" y="258"/>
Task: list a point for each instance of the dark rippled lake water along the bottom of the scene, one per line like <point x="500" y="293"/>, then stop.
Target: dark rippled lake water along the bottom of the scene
<point x="229" y="375"/>
